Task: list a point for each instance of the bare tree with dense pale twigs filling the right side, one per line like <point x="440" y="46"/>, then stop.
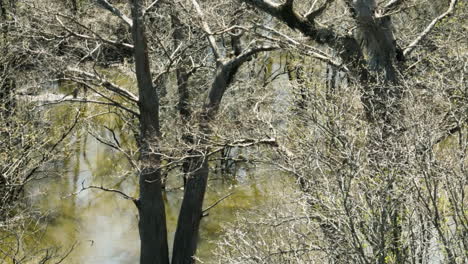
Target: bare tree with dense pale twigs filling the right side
<point x="368" y="155"/>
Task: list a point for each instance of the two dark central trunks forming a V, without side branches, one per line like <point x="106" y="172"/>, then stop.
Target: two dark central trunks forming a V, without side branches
<point x="152" y="225"/>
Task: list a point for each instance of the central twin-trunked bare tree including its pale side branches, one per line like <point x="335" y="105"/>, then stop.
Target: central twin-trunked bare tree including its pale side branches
<point x="151" y="84"/>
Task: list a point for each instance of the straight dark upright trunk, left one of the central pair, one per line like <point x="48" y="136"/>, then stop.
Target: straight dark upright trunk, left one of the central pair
<point x="152" y="222"/>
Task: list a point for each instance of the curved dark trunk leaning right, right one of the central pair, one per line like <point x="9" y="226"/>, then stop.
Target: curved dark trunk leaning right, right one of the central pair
<point x="186" y="237"/>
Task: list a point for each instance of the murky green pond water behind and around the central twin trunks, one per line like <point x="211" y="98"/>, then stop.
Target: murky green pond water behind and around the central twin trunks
<point x="102" y="226"/>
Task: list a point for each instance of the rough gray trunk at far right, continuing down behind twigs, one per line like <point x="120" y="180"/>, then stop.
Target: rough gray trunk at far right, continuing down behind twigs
<point x="381" y="98"/>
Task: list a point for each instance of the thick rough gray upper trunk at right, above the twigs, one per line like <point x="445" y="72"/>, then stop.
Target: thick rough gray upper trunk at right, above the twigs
<point x="381" y="95"/>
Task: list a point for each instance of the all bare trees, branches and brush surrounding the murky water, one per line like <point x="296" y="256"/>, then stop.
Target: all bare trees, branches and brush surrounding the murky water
<point x="362" y="103"/>
